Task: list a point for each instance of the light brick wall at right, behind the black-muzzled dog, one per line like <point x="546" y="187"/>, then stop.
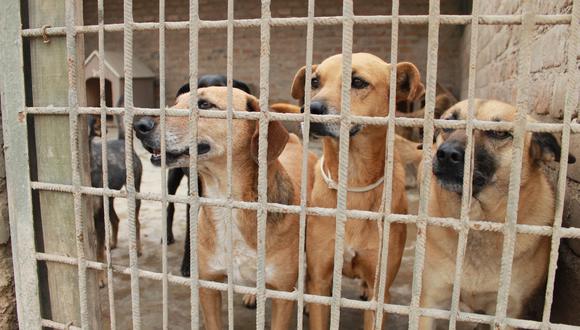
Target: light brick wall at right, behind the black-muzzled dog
<point x="496" y="77"/>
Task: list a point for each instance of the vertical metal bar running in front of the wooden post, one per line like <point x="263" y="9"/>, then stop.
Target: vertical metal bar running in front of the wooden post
<point x="73" y="105"/>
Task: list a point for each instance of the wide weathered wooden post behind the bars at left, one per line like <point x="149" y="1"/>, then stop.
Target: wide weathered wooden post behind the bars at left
<point x="50" y="86"/>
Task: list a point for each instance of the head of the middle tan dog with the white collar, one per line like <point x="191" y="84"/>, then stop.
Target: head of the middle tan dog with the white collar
<point x="369" y="92"/>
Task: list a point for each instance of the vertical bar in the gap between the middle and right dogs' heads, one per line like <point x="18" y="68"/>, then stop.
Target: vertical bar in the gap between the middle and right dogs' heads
<point x="418" y="266"/>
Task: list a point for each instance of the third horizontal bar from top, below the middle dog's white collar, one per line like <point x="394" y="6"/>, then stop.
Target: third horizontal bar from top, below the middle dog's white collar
<point x="455" y="224"/>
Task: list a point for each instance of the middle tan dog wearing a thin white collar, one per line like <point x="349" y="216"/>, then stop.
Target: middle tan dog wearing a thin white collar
<point x="369" y="97"/>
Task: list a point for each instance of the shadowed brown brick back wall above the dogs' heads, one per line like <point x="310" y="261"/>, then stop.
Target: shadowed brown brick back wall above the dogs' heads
<point x="288" y="45"/>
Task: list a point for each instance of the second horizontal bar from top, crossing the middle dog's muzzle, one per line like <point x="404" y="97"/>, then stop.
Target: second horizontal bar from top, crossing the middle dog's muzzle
<point x="291" y="117"/>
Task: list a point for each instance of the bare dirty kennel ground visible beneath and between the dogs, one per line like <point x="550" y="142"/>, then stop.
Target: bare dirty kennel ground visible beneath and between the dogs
<point x="179" y="296"/>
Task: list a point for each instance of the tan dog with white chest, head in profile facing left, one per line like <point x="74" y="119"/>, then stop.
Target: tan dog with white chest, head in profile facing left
<point x="284" y="170"/>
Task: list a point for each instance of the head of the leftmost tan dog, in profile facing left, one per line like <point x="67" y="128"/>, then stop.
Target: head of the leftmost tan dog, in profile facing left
<point x="212" y="132"/>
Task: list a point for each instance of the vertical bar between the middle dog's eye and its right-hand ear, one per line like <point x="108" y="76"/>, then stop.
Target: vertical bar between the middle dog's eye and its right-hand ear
<point x="389" y="165"/>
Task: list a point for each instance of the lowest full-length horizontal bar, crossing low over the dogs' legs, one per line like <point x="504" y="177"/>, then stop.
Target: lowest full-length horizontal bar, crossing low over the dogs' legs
<point x="292" y="296"/>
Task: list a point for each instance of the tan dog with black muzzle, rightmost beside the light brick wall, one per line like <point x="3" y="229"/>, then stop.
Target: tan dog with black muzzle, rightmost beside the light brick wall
<point x="492" y="161"/>
